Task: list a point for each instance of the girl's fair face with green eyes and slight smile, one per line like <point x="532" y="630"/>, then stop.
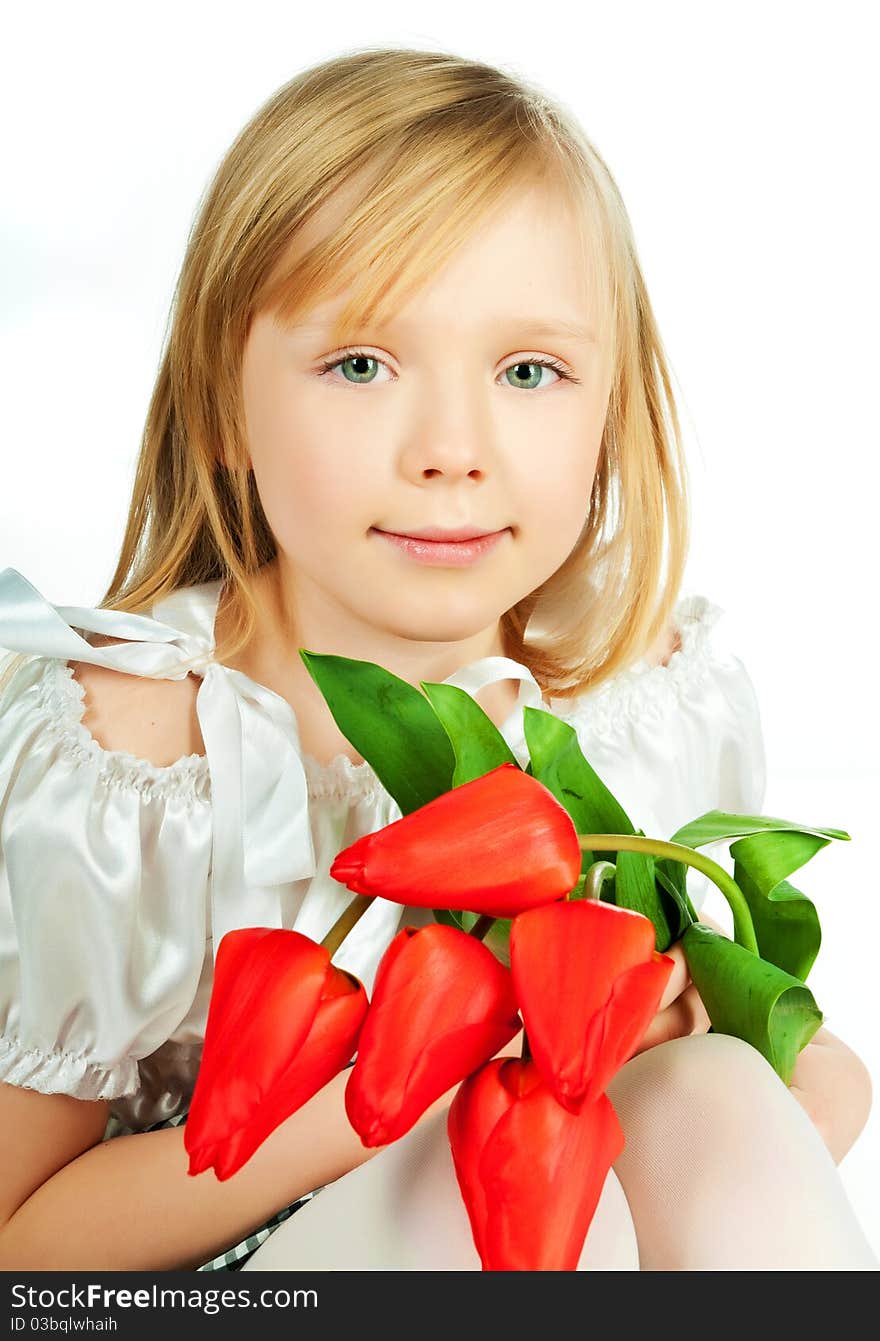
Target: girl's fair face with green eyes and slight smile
<point x="445" y="419"/>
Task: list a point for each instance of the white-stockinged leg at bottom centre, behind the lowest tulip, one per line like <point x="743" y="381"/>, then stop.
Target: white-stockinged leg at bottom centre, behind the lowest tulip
<point x="403" y="1212"/>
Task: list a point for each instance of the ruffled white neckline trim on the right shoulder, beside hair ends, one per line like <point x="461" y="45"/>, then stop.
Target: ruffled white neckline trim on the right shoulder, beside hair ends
<point x="647" y="694"/>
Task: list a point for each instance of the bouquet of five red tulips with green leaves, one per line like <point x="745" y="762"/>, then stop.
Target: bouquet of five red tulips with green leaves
<point x="505" y="858"/>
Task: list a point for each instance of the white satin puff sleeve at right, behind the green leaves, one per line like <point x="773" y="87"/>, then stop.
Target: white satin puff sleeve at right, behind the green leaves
<point x="675" y="741"/>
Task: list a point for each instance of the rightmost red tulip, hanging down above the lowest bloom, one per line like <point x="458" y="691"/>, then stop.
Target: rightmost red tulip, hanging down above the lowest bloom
<point x="590" y="982"/>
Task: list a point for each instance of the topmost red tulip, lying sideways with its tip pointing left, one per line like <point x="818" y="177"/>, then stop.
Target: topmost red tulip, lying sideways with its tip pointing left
<point x="496" y="846"/>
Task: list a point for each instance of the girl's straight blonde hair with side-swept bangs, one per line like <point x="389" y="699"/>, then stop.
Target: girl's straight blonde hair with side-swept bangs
<point x="435" y="143"/>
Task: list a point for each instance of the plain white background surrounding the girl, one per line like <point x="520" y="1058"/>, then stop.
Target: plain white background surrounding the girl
<point x="744" y="140"/>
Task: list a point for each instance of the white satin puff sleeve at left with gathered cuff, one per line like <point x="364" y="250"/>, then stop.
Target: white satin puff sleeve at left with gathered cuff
<point x="104" y="870"/>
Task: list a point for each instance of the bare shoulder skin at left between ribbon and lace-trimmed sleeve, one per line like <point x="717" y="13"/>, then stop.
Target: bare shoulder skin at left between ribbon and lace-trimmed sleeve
<point x="150" y="718"/>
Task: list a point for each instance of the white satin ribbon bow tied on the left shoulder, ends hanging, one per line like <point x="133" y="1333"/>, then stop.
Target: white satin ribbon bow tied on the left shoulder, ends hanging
<point x="262" y="835"/>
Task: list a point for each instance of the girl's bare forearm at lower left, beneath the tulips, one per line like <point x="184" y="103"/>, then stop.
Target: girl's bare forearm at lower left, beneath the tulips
<point x="129" y="1204"/>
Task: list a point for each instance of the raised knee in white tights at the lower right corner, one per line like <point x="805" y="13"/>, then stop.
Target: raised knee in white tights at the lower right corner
<point x="724" y="1170"/>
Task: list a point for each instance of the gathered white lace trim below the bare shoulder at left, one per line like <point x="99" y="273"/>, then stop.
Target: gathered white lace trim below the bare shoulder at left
<point x="62" y="701"/>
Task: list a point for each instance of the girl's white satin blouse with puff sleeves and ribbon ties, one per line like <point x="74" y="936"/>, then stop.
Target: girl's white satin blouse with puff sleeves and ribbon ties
<point x="119" y="878"/>
